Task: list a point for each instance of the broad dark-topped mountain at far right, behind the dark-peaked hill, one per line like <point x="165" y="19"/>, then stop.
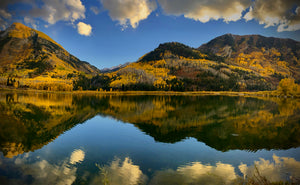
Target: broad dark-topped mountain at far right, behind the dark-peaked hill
<point x="266" y="55"/>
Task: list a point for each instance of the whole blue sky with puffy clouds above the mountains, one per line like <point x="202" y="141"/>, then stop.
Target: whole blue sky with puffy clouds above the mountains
<point x="106" y="33"/>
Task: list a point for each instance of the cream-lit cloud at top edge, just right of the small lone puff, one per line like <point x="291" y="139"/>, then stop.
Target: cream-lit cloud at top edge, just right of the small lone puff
<point x="129" y="12"/>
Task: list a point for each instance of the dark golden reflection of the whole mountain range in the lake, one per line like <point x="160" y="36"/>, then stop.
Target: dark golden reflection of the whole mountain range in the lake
<point x="31" y="120"/>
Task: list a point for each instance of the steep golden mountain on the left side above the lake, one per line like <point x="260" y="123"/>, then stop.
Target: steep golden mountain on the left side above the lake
<point x="28" y="55"/>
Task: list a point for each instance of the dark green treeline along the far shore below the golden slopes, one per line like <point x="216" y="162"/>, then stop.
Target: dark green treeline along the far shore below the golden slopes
<point x="203" y="82"/>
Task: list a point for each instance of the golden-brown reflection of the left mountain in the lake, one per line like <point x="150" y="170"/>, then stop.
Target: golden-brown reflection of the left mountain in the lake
<point x="29" y="121"/>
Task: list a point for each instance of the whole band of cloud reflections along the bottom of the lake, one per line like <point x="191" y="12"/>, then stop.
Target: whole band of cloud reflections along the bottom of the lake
<point x="41" y="171"/>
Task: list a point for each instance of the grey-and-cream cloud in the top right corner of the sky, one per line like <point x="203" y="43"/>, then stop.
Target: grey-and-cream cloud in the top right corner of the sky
<point x="282" y="13"/>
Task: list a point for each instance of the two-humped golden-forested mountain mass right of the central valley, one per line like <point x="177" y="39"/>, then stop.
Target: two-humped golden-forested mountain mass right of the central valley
<point x="228" y="62"/>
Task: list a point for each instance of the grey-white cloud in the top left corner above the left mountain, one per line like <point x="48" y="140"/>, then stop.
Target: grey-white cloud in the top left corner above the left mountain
<point x="49" y="11"/>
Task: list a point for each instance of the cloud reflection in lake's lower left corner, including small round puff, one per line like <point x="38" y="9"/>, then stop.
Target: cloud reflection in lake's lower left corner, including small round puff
<point x="27" y="170"/>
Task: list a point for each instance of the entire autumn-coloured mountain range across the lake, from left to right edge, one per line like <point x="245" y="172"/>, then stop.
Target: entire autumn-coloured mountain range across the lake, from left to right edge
<point x="30" y="58"/>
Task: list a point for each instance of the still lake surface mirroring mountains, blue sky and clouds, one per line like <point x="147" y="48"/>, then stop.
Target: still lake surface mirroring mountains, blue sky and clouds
<point x="77" y="139"/>
